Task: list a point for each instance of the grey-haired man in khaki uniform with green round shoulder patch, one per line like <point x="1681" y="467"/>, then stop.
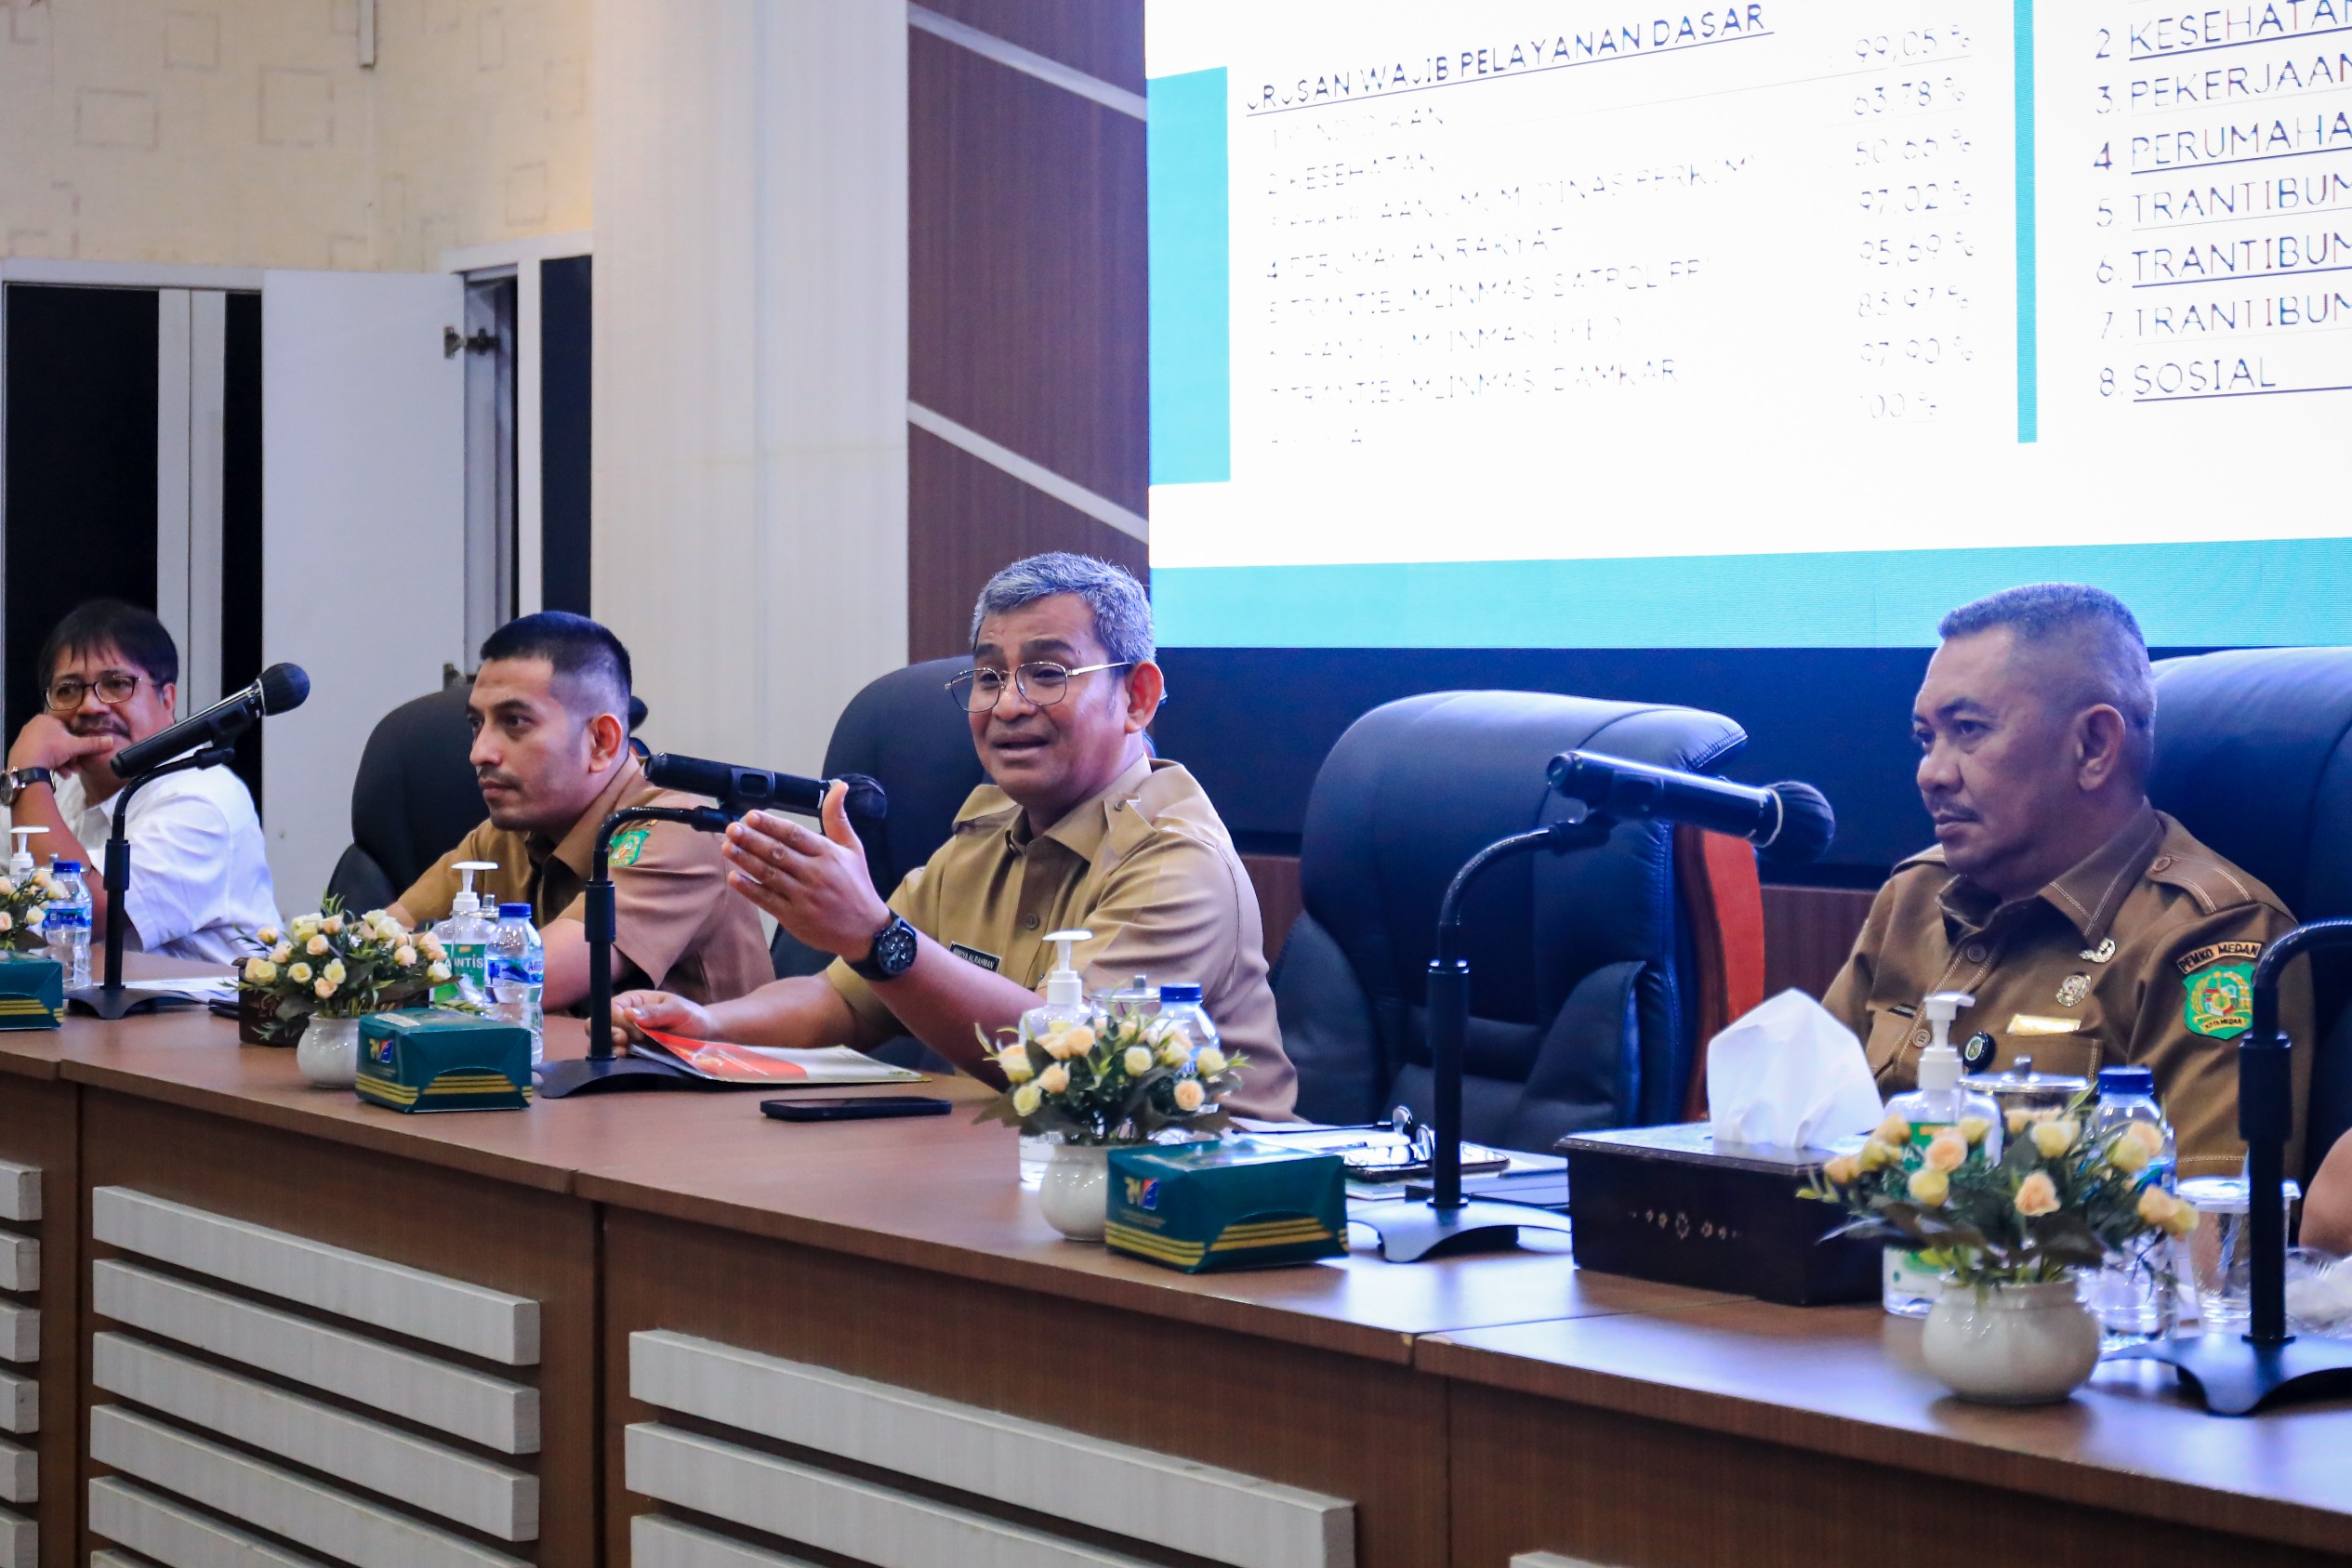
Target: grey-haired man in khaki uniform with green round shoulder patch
<point x="2092" y="930"/>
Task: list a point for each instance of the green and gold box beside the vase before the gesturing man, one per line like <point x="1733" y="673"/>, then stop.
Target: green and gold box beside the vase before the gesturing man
<point x="1229" y="1205"/>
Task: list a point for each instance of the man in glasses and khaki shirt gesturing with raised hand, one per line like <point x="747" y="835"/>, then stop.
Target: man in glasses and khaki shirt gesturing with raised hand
<point x="1081" y="829"/>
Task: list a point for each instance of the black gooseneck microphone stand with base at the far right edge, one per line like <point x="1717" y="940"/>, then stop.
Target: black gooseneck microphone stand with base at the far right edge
<point x="2238" y="1374"/>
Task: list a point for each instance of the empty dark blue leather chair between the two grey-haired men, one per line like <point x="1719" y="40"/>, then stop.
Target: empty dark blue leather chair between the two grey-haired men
<point x="1582" y="984"/>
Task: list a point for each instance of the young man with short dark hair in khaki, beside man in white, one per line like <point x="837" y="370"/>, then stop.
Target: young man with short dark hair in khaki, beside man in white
<point x="552" y="751"/>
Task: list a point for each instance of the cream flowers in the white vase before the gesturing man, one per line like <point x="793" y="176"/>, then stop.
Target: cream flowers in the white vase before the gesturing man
<point x="1111" y="1080"/>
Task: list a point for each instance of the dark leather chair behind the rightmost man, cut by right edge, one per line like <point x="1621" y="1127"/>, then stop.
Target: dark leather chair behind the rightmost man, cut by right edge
<point x="2254" y="756"/>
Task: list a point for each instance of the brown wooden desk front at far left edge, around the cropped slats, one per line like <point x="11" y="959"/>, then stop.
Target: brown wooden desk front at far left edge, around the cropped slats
<point x="41" y="1127"/>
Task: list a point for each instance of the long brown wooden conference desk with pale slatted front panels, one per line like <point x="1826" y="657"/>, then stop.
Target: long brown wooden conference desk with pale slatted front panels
<point x="281" y="1327"/>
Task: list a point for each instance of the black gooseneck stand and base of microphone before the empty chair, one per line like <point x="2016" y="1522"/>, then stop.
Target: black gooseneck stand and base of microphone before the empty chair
<point x="1450" y="1224"/>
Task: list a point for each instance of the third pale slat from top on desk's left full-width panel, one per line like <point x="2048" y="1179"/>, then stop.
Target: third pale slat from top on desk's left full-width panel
<point x="354" y="1449"/>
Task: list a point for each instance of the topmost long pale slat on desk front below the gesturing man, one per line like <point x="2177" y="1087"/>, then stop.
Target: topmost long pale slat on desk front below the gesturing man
<point x="1130" y="1492"/>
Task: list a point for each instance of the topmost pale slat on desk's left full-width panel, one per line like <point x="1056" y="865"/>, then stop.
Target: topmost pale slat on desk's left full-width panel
<point x="328" y="1278"/>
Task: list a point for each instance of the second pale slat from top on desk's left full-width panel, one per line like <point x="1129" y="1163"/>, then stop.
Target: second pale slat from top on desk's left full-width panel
<point x="432" y="1393"/>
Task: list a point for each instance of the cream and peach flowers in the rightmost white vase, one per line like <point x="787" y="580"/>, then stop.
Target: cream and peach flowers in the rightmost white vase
<point x="2057" y="1200"/>
